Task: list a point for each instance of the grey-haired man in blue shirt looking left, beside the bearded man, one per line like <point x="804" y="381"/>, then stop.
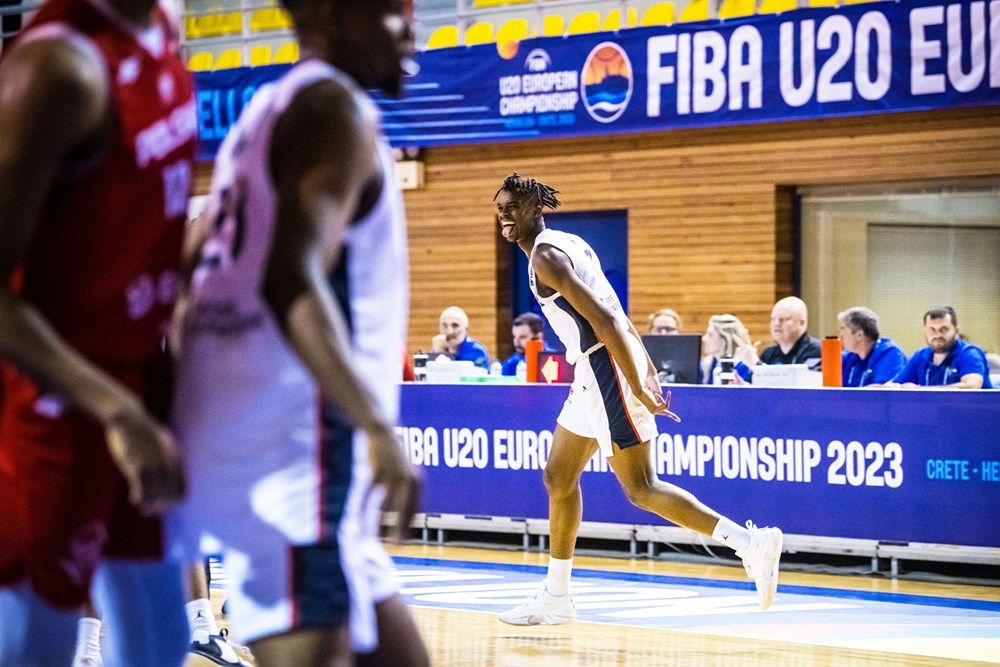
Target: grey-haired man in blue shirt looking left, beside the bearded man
<point x="867" y="358"/>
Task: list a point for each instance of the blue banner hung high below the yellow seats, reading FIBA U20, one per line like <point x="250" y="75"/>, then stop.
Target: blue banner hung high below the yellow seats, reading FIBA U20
<point x="811" y="63"/>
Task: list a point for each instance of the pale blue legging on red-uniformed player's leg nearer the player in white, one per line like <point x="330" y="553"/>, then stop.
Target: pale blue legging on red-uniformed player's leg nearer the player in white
<point x="142" y="606"/>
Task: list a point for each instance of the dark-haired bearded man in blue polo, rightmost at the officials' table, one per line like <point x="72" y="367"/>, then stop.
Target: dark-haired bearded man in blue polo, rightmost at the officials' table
<point x="946" y="361"/>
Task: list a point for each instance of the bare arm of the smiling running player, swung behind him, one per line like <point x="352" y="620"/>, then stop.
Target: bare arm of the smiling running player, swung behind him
<point x="555" y="270"/>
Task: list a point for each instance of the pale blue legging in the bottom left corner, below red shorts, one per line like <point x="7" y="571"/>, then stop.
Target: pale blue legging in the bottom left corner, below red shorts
<point x="33" y="633"/>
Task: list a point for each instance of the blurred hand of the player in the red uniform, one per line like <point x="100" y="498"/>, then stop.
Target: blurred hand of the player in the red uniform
<point x="149" y="459"/>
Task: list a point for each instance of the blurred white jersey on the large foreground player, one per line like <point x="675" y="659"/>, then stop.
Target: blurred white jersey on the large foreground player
<point x="237" y="372"/>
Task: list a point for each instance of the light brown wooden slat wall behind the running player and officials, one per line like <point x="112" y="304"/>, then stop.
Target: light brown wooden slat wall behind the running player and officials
<point x="710" y="210"/>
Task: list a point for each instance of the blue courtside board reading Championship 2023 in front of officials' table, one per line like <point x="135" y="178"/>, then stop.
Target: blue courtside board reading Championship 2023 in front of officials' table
<point x="903" y="465"/>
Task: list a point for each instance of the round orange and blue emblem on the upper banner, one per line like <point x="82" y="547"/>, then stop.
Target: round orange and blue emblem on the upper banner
<point x="606" y="82"/>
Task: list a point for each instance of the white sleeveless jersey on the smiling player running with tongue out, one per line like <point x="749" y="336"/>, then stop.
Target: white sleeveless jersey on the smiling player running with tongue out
<point x="573" y="329"/>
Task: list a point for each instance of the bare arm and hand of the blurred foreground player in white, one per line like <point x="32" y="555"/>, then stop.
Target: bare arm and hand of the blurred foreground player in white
<point x="322" y="156"/>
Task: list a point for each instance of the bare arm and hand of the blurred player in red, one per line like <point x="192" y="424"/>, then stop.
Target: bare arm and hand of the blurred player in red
<point x="53" y="97"/>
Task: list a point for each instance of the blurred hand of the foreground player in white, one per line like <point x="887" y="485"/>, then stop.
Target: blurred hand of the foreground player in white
<point x="392" y="470"/>
